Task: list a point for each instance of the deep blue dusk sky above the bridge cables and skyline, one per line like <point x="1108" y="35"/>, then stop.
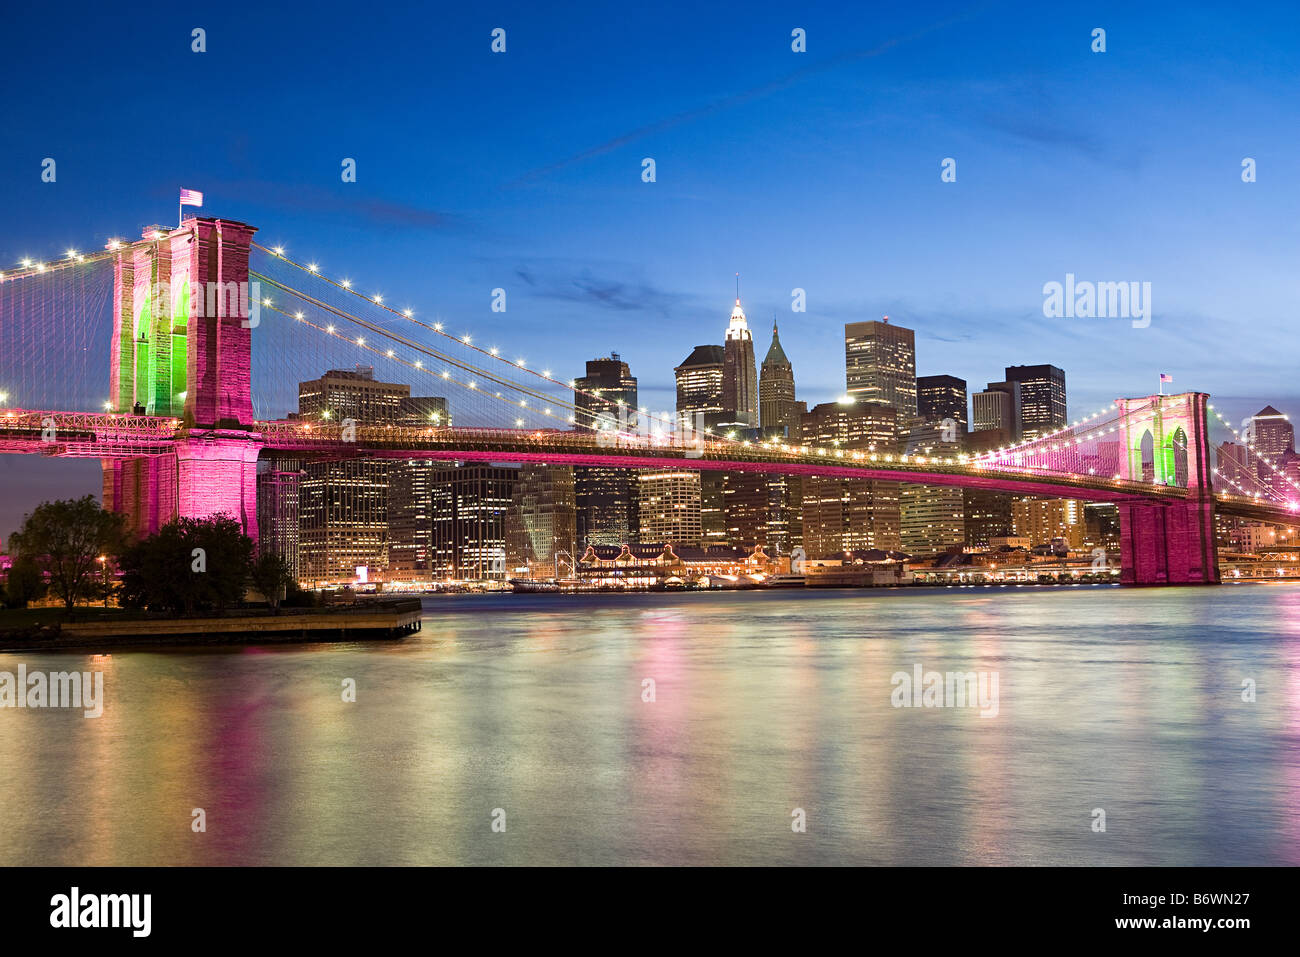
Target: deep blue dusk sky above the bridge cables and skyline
<point x="817" y="171"/>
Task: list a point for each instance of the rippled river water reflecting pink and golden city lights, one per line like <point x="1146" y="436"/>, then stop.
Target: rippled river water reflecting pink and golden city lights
<point x="1123" y="700"/>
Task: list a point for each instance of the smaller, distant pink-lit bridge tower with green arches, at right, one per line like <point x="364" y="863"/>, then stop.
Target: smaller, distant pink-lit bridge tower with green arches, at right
<point x="1167" y="443"/>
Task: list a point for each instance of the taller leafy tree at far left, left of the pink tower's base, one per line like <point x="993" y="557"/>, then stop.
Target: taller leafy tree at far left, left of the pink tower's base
<point x="66" y="540"/>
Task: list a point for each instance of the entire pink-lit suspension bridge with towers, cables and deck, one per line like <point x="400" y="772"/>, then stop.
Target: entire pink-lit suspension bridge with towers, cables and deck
<point x="144" y="356"/>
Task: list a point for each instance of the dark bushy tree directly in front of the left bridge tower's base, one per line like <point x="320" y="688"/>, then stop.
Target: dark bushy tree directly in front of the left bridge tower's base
<point x="190" y="565"/>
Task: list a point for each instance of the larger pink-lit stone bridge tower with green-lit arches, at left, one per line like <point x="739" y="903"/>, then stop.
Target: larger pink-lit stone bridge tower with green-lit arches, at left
<point x="183" y="348"/>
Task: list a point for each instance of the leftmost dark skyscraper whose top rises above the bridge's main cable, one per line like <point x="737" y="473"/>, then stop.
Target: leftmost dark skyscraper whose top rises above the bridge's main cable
<point x="606" y="499"/>
